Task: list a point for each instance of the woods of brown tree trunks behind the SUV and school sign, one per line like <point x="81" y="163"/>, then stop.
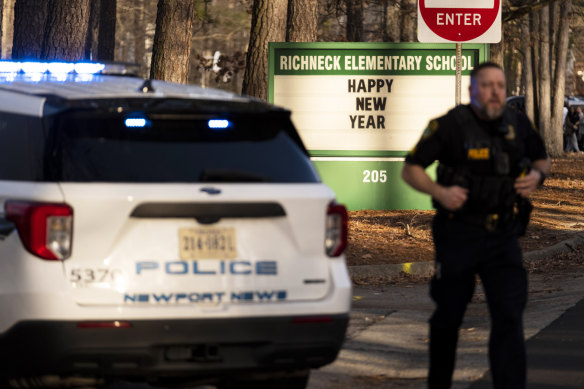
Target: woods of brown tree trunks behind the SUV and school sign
<point x="223" y="43"/>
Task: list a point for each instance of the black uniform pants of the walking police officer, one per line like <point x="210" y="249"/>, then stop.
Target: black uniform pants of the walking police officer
<point x="462" y="252"/>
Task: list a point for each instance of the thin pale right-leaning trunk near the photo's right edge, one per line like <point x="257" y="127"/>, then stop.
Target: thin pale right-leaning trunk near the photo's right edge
<point x="560" y="77"/>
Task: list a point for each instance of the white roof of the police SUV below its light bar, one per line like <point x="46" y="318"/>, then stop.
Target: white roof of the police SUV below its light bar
<point x="27" y="94"/>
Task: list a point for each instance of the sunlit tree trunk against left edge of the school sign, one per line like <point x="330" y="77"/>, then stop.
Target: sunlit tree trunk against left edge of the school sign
<point x="267" y="25"/>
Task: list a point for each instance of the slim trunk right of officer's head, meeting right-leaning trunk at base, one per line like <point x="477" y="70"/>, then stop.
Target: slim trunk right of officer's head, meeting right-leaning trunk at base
<point x="545" y="86"/>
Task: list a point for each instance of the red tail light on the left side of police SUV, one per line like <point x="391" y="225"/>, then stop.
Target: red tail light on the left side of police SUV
<point x="45" y="229"/>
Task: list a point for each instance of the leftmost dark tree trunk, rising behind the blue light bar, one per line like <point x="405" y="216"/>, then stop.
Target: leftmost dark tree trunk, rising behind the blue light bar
<point x="30" y="19"/>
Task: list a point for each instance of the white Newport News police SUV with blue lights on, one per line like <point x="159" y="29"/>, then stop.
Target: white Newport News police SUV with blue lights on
<point x="160" y="232"/>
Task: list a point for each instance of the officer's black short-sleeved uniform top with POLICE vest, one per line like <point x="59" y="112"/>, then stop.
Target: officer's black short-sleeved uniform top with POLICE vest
<point x="486" y="150"/>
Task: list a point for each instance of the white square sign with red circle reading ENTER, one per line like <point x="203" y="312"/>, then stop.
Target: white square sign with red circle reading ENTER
<point x="459" y="21"/>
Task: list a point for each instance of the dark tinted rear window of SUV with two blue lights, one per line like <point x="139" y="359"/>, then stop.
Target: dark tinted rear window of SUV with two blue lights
<point x="157" y="146"/>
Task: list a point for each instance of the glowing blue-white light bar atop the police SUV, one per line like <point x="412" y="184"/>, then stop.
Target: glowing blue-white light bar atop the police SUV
<point x="36" y="67"/>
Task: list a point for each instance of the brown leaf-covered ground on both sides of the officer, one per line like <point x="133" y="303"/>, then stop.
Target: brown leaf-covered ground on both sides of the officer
<point x="399" y="236"/>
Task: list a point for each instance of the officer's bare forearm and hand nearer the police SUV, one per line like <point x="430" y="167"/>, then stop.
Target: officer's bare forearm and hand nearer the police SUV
<point x="451" y="198"/>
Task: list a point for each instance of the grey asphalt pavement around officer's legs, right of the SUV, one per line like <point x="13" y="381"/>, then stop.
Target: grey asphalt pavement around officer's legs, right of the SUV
<point x="387" y="342"/>
